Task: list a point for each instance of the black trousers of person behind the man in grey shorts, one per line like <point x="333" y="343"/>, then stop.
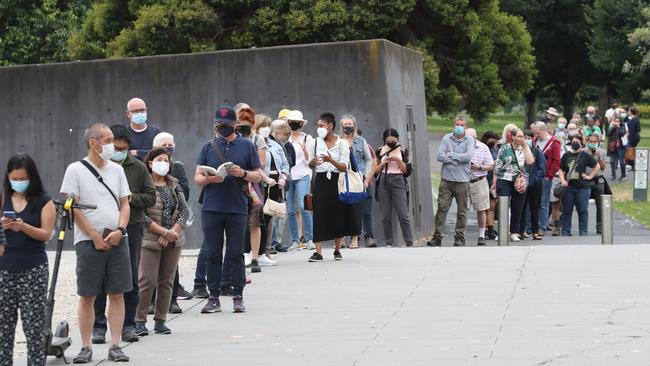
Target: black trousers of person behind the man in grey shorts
<point x="136" y="234"/>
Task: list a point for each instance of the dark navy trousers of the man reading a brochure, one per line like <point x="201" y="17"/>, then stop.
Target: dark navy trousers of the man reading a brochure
<point x="234" y="226"/>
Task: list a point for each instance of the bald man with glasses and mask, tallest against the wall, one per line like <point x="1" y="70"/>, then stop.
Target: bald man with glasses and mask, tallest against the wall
<point x="140" y="132"/>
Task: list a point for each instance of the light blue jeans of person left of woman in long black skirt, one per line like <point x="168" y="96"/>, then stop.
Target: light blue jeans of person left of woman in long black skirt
<point x="296" y="193"/>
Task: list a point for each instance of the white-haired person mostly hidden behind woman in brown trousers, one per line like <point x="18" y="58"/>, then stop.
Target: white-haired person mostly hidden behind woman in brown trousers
<point x="177" y="170"/>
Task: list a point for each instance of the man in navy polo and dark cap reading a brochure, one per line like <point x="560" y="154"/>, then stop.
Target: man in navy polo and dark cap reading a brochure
<point x="225" y="204"/>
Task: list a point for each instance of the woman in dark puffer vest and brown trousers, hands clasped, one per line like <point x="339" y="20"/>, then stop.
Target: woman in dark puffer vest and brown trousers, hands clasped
<point x="163" y="239"/>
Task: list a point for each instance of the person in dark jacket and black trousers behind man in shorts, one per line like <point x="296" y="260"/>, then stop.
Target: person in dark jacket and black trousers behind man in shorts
<point x="143" y="196"/>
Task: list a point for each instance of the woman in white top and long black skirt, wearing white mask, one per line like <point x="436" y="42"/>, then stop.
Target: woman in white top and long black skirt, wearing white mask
<point x="329" y="156"/>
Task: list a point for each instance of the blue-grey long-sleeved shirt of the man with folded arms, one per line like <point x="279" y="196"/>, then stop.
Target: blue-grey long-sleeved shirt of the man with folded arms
<point x="455" y="157"/>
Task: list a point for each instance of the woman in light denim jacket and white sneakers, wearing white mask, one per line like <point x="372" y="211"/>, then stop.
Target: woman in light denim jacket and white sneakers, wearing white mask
<point x="276" y="173"/>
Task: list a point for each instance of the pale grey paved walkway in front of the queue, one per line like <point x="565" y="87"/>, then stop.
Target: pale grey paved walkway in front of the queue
<point x="568" y="305"/>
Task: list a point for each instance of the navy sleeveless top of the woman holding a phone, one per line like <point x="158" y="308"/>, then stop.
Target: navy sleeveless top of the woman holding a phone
<point x="22" y="252"/>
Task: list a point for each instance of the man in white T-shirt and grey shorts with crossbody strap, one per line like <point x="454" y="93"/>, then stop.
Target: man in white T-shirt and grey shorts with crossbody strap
<point x="103" y="263"/>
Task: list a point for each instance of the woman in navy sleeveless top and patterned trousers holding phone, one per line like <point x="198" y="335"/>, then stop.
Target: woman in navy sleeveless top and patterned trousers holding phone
<point x="27" y="222"/>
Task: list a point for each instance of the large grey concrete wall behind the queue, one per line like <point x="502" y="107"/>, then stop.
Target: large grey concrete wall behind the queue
<point x="45" y="108"/>
